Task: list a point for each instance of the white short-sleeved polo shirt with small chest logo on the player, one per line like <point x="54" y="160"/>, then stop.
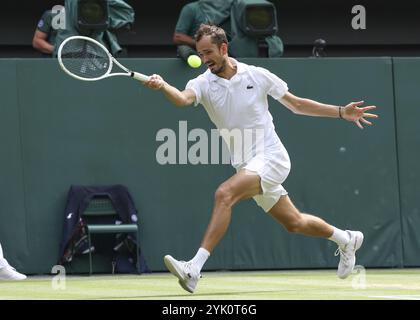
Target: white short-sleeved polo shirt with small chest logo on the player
<point x="240" y="105"/>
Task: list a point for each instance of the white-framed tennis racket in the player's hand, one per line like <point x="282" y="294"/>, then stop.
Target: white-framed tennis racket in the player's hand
<point x="86" y="59"/>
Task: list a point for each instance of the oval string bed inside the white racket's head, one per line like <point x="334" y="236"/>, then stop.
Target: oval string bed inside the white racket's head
<point x="85" y="59"/>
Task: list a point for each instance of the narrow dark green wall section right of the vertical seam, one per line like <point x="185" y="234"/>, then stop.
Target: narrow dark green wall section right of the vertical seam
<point x="407" y="97"/>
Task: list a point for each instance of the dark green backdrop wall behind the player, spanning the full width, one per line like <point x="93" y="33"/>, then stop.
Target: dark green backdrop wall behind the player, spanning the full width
<point x="56" y="131"/>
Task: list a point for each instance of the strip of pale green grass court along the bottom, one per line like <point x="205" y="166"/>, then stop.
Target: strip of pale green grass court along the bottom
<point x="268" y="285"/>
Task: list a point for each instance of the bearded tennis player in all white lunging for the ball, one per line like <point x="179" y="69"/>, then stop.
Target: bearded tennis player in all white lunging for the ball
<point x="234" y="95"/>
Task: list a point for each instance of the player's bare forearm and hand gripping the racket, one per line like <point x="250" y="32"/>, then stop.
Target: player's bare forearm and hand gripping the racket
<point x="178" y="98"/>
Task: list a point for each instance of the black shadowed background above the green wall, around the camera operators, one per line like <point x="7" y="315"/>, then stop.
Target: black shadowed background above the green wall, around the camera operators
<point x="392" y="28"/>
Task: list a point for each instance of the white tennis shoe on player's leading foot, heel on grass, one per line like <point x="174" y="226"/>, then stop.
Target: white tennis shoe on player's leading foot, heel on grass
<point x="186" y="272"/>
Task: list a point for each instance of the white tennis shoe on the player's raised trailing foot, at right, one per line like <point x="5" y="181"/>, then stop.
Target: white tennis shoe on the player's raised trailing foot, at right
<point x="348" y="254"/>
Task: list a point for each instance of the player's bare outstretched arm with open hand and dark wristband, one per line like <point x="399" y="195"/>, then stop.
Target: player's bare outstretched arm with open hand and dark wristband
<point x="351" y="112"/>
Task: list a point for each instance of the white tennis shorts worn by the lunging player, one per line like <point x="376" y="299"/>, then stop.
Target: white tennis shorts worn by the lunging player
<point x="273" y="167"/>
